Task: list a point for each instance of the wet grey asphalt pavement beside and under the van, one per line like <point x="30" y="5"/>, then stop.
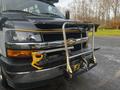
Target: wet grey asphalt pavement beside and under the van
<point x="105" y="76"/>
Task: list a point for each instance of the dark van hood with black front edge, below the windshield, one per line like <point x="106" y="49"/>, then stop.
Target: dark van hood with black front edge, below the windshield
<point x="20" y="21"/>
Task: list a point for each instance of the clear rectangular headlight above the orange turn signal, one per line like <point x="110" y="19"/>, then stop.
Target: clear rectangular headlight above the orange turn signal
<point x="18" y="36"/>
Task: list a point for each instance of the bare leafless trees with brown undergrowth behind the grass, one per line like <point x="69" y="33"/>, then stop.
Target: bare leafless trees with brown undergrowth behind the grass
<point x="104" y="12"/>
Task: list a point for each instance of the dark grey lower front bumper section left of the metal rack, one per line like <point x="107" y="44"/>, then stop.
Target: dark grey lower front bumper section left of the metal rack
<point x="26" y="80"/>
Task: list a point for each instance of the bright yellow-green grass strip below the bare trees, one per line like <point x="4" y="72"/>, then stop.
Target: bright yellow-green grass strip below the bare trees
<point x="107" y="32"/>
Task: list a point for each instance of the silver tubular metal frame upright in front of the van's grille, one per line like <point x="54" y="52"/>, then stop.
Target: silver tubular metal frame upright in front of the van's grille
<point x="68" y="57"/>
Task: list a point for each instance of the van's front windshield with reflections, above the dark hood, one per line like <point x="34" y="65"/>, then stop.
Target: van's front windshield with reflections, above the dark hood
<point x="32" y="6"/>
